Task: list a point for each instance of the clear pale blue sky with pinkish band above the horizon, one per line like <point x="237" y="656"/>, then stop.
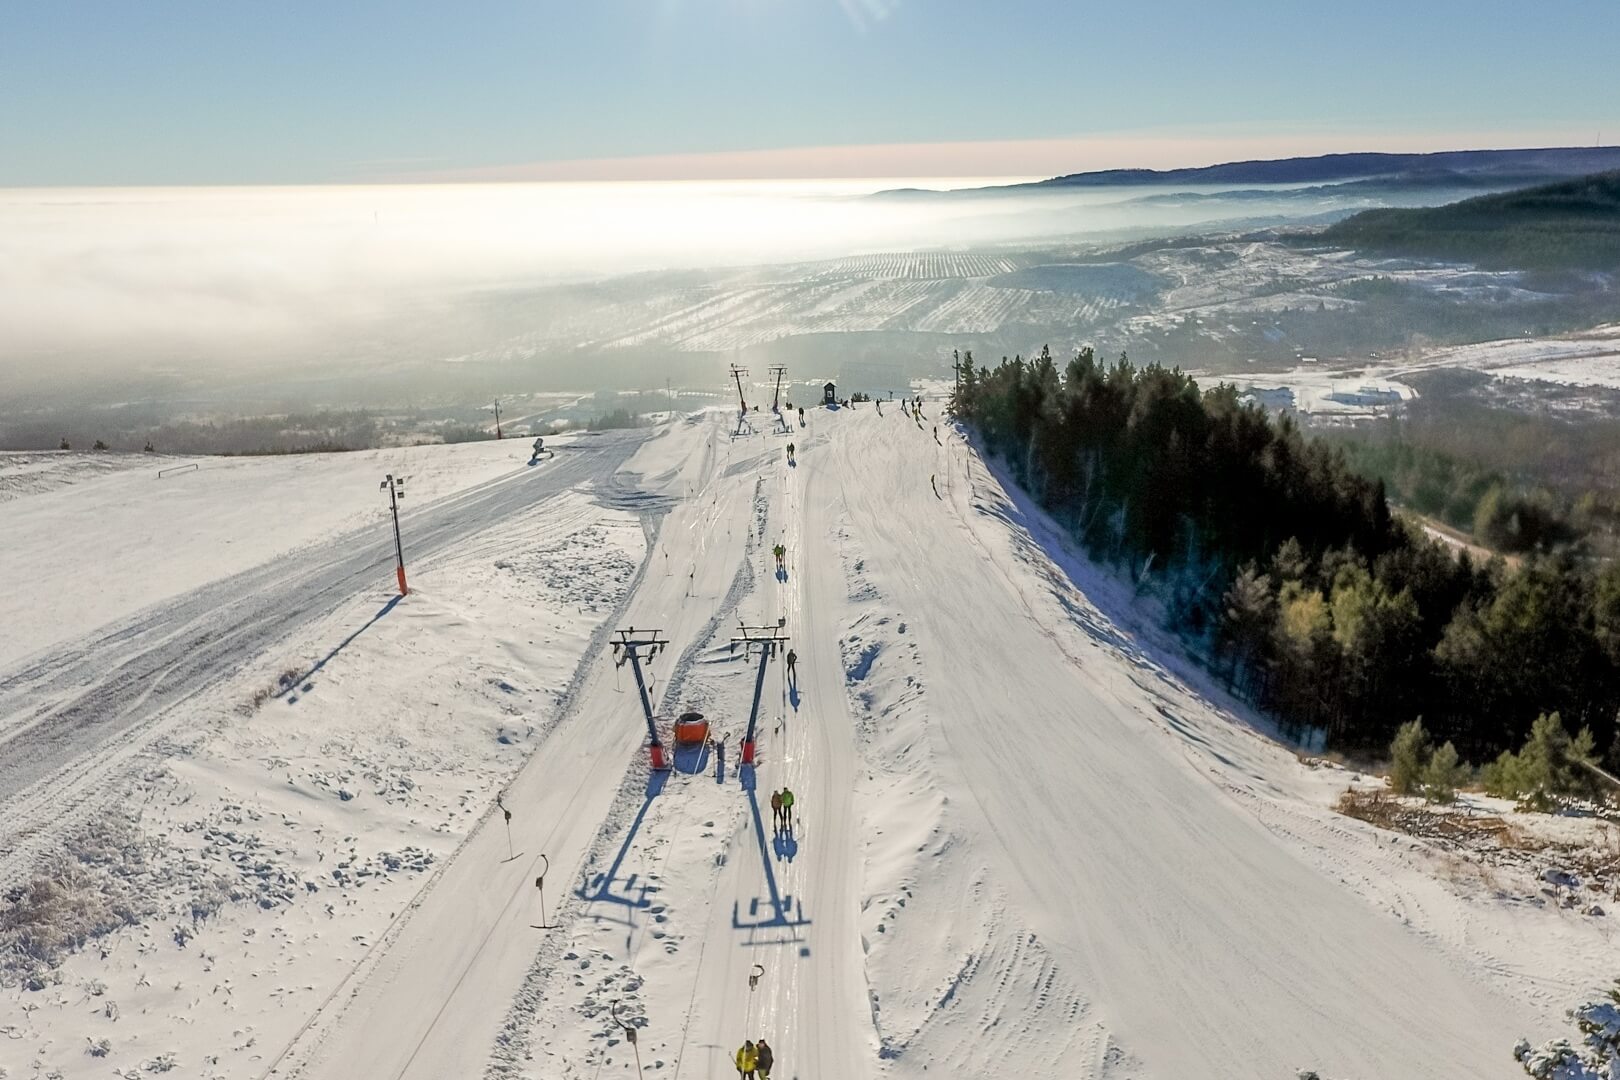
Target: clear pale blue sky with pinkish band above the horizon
<point x="291" y="91"/>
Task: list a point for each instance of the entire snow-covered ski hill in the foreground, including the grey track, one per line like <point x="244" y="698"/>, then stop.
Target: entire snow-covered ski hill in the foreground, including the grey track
<point x="254" y="809"/>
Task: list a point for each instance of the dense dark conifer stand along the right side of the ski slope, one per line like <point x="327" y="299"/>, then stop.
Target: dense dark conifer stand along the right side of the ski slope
<point x="1289" y="571"/>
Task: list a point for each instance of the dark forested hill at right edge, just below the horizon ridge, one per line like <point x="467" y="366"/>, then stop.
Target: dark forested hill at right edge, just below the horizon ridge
<point x="1572" y="224"/>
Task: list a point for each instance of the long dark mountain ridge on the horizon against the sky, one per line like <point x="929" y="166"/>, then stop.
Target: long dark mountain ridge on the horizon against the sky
<point x="1494" y="169"/>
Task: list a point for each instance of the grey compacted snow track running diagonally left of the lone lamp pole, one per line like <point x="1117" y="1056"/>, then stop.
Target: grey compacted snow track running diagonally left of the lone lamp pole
<point x="74" y="715"/>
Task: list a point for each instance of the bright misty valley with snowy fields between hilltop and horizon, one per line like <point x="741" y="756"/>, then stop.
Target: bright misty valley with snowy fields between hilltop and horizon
<point x="365" y="315"/>
